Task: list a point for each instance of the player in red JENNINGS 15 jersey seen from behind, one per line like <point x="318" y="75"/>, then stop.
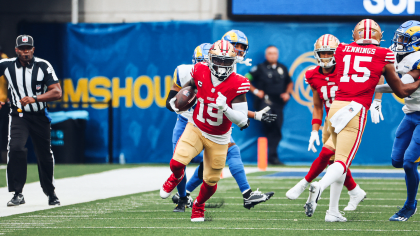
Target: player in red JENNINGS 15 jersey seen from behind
<point x="359" y="68"/>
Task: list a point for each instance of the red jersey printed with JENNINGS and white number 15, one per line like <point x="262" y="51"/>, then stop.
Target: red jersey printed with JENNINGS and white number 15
<point x="359" y="68"/>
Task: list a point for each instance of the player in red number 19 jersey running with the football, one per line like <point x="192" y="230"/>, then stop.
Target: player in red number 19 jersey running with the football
<point x="221" y="101"/>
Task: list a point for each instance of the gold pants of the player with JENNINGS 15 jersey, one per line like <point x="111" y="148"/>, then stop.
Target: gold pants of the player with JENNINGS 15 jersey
<point x="347" y="142"/>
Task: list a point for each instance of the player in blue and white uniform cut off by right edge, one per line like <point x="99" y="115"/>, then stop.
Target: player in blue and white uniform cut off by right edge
<point x="406" y="150"/>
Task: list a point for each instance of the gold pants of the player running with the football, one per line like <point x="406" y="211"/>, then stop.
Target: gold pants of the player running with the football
<point x="191" y="143"/>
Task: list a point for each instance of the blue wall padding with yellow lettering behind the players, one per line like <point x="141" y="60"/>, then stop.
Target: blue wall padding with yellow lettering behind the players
<point x="134" y="63"/>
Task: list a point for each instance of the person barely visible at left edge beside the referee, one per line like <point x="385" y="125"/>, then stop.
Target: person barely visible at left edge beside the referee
<point x="4" y="119"/>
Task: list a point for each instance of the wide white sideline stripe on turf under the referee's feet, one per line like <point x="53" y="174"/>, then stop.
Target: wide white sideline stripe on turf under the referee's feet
<point x="93" y="187"/>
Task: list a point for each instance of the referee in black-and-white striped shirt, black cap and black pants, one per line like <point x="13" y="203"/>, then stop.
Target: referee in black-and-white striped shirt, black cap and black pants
<point x="32" y="82"/>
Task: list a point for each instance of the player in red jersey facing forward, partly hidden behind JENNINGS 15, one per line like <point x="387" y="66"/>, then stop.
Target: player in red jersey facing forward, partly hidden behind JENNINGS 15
<point x="322" y="80"/>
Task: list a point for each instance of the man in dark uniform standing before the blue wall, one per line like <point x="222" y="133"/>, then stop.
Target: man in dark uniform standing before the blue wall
<point x="272" y="85"/>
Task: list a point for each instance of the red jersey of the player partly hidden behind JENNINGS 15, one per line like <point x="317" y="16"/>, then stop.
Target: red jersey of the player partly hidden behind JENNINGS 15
<point x="324" y="84"/>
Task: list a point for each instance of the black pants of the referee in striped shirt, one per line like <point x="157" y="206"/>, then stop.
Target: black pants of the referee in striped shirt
<point x="38" y="127"/>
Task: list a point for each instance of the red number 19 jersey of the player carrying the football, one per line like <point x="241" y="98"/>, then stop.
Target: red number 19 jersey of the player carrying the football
<point x="208" y="119"/>
